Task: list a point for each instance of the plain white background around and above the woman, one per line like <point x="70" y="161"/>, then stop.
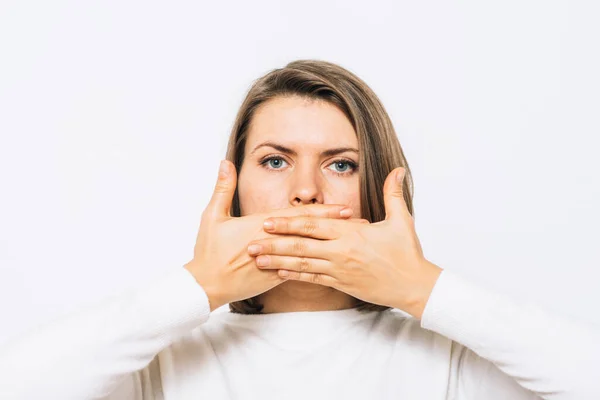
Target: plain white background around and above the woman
<point x="114" y="116"/>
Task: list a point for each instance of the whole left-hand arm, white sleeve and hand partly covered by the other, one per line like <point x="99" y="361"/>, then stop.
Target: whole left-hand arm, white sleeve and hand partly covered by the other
<point x="106" y="350"/>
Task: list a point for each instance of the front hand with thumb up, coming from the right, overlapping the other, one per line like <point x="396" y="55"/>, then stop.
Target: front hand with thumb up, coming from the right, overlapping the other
<point x="380" y="263"/>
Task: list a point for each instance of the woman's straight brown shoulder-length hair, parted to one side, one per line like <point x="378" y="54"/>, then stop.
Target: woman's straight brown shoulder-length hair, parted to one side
<point x="379" y="149"/>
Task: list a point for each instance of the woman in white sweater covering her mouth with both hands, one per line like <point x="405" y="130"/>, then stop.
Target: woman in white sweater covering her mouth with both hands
<point x="309" y="237"/>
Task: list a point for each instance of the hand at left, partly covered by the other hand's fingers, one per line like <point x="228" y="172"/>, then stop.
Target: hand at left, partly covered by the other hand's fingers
<point x="221" y="264"/>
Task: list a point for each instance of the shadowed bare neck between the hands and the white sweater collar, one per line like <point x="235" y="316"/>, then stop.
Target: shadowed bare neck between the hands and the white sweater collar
<point x="293" y="296"/>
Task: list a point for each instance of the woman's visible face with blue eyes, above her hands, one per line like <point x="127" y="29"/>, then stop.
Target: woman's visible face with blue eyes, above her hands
<point x="298" y="152"/>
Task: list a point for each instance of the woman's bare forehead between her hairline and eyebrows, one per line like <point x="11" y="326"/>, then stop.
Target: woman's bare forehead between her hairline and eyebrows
<point x="303" y="124"/>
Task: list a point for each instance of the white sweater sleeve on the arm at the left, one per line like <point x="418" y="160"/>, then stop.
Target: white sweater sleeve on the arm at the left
<point x="102" y="352"/>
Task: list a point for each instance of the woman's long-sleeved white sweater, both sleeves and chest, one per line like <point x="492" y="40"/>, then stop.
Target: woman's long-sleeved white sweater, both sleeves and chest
<point x="157" y="342"/>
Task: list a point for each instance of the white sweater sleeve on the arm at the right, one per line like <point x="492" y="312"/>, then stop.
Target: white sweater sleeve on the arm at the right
<point x="551" y="356"/>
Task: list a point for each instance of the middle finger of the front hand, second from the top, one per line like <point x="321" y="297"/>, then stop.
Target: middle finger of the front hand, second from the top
<point x="294" y="246"/>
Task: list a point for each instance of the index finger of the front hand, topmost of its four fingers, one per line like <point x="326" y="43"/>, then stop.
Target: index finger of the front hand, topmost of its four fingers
<point x="317" y="228"/>
